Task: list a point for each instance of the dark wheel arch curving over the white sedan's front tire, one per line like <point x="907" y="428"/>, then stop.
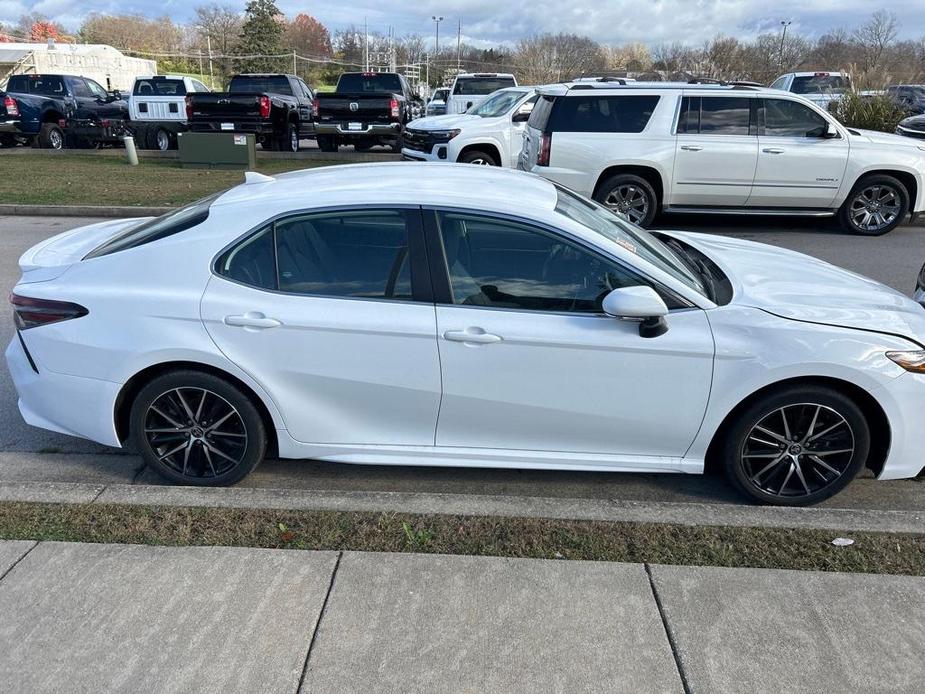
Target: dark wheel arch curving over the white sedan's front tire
<point x="880" y="432"/>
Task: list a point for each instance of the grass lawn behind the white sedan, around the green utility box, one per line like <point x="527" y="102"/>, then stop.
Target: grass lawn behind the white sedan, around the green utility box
<point x="74" y="179"/>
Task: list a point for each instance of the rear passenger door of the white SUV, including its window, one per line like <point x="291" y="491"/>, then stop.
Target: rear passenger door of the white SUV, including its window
<point x="716" y="151"/>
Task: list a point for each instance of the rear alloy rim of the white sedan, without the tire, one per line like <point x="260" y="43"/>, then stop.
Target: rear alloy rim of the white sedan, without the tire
<point x="195" y="432"/>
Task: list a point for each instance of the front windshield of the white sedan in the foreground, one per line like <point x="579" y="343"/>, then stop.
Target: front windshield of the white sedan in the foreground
<point x="634" y="239"/>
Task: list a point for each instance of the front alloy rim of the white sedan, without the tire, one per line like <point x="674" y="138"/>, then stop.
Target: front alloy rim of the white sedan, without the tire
<point x="798" y="450"/>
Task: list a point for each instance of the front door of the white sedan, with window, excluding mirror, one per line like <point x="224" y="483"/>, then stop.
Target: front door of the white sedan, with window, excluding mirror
<point x="530" y="363"/>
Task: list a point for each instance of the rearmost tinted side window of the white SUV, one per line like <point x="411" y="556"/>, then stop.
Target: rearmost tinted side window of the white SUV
<point x="602" y="114"/>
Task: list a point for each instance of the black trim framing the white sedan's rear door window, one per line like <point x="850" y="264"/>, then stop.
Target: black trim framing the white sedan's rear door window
<point x="421" y="283"/>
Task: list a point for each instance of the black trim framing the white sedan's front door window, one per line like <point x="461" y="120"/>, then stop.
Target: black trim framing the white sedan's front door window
<point x="440" y="273"/>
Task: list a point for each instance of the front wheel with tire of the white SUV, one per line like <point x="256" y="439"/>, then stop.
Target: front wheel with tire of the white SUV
<point x="875" y="206"/>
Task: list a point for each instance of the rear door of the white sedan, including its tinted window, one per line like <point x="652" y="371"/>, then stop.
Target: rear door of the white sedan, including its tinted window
<point x="332" y="313"/>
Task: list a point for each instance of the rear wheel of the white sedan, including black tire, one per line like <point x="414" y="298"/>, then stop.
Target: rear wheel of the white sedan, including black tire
<point x="197" y="429"/>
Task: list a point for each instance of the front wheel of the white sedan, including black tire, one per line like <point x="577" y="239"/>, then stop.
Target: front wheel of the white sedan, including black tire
<point x="796" y="447"/>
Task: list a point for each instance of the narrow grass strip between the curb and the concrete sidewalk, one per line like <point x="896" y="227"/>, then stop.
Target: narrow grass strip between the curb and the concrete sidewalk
<point x="447" y="534"/>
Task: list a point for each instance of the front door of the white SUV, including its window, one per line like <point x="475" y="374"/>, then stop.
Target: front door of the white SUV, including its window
<point x="799" y="166"/>
